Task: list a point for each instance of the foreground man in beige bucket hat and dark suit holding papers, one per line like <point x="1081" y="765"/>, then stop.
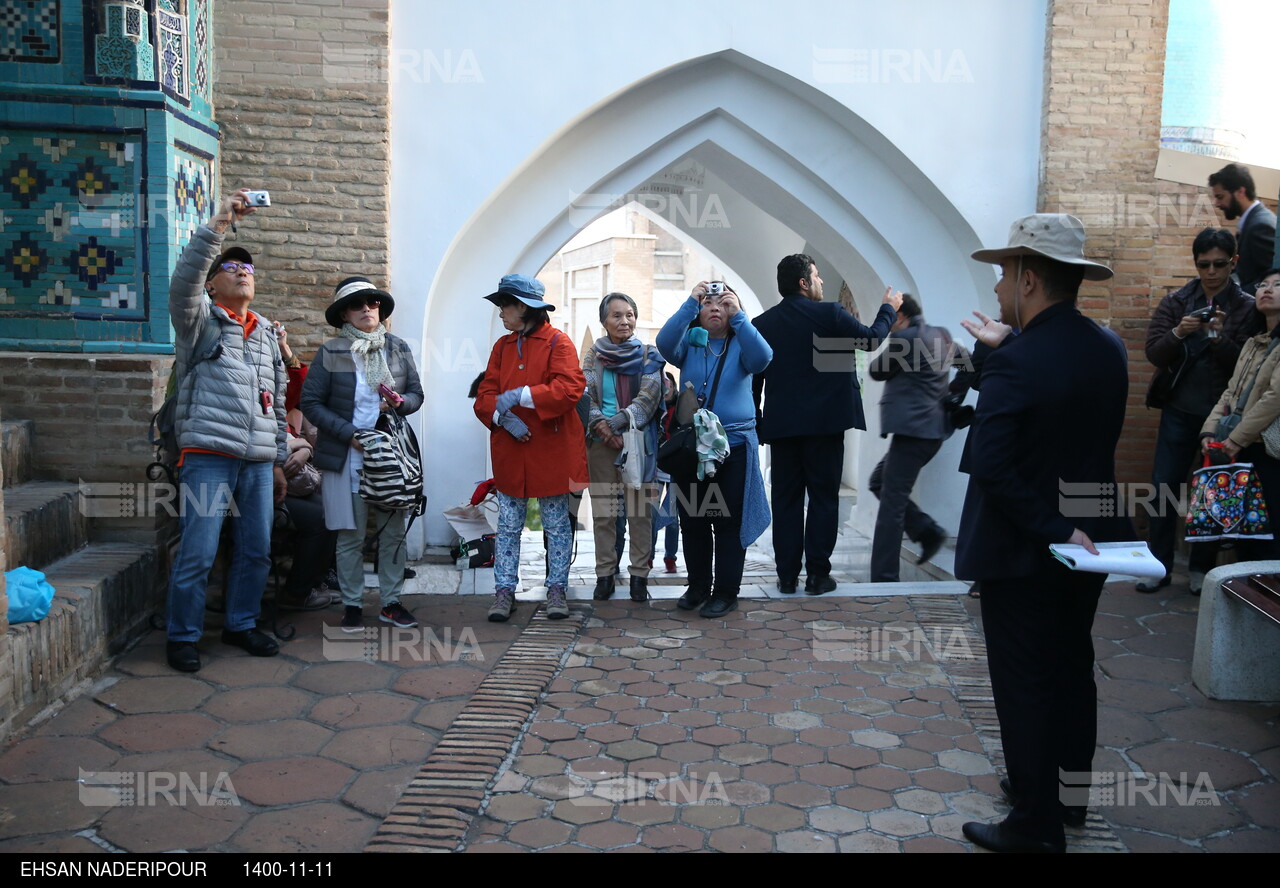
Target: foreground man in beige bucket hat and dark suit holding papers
<point x="1050" y="414"/>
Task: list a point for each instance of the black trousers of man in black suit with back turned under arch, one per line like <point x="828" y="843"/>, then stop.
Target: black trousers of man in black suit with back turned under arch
<point x="806" y="465"/>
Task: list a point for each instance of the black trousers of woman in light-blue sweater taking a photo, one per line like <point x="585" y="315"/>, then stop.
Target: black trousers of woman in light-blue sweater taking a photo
<point x="711" y="521"/>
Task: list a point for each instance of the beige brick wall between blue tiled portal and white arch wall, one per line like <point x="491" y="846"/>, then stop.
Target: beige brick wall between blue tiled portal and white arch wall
<point x="301" y="95"/>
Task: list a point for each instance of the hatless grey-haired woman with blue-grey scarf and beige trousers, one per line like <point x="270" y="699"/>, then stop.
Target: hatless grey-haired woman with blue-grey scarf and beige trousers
<point x="624" y="387"/>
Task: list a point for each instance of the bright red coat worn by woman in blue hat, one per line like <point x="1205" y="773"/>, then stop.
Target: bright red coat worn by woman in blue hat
<point x="555" y="461"/>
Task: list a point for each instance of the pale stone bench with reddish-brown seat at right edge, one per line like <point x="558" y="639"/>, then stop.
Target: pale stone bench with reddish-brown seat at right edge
<point x="1237" y="637"/>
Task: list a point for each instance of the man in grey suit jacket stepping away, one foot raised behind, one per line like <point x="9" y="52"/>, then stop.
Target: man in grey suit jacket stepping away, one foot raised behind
<point x="916" y="367"/>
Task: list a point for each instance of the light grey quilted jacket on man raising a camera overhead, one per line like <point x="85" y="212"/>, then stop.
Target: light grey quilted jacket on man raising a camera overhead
<point x="220" y="400"/>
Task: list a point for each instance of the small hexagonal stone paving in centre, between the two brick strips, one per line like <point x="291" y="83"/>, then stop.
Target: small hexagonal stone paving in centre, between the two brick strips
<point x="816" y="725"/>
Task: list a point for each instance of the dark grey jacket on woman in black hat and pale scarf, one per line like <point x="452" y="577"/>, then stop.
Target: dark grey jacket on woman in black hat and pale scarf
<point x="330" y="396"/>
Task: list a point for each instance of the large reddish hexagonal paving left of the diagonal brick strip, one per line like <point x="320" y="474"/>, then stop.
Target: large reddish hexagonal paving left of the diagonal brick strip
<point x="318" y="750"/>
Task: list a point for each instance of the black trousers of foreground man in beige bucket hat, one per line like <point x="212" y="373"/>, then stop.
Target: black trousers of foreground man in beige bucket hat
<point x="1040" y="652"/>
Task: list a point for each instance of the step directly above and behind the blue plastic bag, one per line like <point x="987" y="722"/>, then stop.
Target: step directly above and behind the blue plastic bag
<point x="44" y="523"/>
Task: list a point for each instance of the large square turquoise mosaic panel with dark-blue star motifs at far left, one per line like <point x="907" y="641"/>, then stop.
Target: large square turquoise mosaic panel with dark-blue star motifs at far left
<point x="72" y="235"/>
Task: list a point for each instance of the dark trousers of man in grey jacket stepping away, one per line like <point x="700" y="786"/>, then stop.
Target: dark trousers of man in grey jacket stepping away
<point x="893" y="482"/>
